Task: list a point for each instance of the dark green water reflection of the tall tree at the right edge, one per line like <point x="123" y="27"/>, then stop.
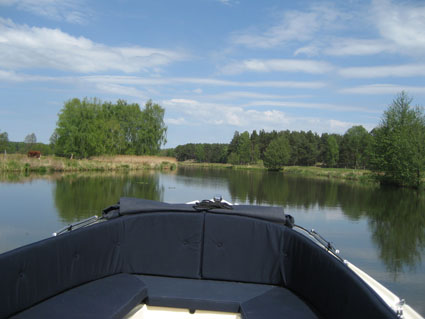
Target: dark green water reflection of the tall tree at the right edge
<point x="396" y="219"/>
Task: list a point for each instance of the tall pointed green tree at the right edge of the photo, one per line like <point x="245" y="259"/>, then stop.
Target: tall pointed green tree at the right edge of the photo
<point x="399" y="144"/>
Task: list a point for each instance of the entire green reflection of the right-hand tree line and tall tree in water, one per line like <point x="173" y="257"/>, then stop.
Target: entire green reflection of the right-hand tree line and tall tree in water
<point x="396" y="216"/>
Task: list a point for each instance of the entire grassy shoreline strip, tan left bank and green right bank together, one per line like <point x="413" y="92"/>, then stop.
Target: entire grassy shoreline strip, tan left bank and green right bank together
<point x="19" y="163"/>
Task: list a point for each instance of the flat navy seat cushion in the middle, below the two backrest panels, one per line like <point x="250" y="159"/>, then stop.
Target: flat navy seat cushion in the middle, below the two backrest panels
<point x="200" y="294"/>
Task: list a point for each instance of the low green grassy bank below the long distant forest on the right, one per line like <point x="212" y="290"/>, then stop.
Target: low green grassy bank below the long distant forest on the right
<point x="359" y="175"/>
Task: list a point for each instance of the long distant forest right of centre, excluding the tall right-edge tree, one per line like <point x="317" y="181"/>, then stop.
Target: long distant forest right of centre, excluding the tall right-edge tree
<point x="278" y="148"/>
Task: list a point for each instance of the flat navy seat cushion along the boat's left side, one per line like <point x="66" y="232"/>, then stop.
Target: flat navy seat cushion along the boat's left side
<point x="109" y="297"/>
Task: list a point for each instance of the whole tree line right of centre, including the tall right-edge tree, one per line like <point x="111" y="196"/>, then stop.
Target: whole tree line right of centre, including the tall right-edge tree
<point x="394" y="150"/>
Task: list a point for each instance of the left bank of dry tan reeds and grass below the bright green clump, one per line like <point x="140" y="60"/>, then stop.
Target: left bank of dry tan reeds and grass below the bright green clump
<point x="22" y="164"/>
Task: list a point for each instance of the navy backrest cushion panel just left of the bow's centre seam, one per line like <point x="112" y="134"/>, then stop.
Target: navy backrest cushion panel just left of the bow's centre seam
<point x="166" y="244"/>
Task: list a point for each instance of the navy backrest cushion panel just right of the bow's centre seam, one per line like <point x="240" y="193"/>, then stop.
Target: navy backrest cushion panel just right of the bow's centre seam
<point x="242" y="249"/>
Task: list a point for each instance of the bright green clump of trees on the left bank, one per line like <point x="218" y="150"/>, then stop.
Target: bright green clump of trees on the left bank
<point x="89" y="127"/>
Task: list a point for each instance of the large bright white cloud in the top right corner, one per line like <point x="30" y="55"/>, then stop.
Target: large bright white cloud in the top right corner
<point x="390" y="26"/>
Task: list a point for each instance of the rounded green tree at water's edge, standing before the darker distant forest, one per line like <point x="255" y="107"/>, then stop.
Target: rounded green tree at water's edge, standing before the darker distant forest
<point x="277" y="153"/>
